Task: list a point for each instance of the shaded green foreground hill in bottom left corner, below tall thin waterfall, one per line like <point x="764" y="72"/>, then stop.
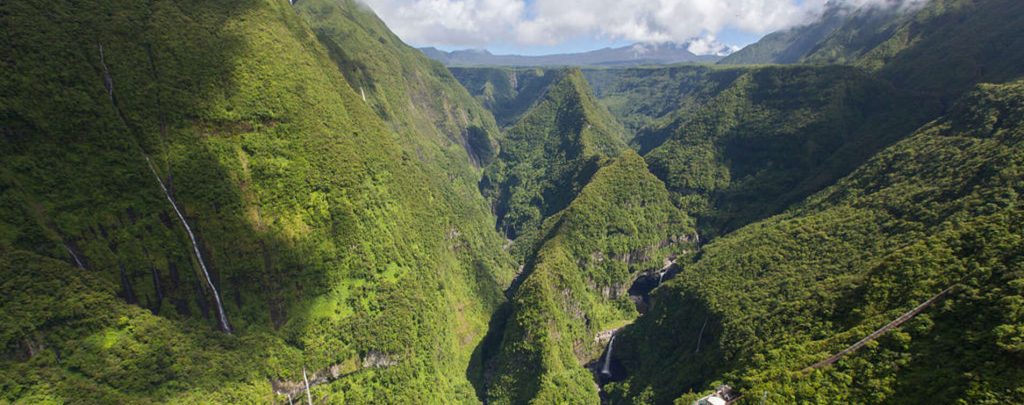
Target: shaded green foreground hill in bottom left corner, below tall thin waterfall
<point x="72" y="340"/>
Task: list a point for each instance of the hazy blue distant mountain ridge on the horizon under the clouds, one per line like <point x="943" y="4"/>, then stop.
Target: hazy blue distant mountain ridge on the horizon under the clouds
<point x="636" y="55"/>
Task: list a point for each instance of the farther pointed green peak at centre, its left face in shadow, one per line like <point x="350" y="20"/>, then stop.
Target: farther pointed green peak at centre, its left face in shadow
<point x="550" y="155"/>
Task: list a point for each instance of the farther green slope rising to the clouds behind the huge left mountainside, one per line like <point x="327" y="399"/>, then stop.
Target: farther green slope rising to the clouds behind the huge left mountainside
<point x="403" y="86"/>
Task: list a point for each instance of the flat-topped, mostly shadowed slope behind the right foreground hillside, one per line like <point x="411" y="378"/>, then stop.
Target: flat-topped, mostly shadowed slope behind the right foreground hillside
<point x="774" y="137"/>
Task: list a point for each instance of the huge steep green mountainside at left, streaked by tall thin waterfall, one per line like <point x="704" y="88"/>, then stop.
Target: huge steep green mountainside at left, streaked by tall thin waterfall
<point x="330" y="239"/>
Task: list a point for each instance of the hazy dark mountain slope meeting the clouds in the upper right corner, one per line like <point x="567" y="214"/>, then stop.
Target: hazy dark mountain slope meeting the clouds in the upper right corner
<point x="942" y="49"/>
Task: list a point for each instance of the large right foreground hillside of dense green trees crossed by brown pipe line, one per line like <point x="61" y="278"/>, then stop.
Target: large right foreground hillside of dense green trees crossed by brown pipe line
<point x="941" y="209"/>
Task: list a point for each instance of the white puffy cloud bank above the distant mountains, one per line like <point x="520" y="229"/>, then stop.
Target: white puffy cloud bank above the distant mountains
<point x="479" y="23"/>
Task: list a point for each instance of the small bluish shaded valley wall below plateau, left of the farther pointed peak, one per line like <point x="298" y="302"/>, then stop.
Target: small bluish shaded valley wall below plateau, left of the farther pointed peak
<point x="507" y="93"/>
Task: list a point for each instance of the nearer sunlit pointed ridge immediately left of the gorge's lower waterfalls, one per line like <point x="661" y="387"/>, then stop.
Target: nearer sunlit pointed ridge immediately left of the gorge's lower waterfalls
<point x="575" y="285"/>
